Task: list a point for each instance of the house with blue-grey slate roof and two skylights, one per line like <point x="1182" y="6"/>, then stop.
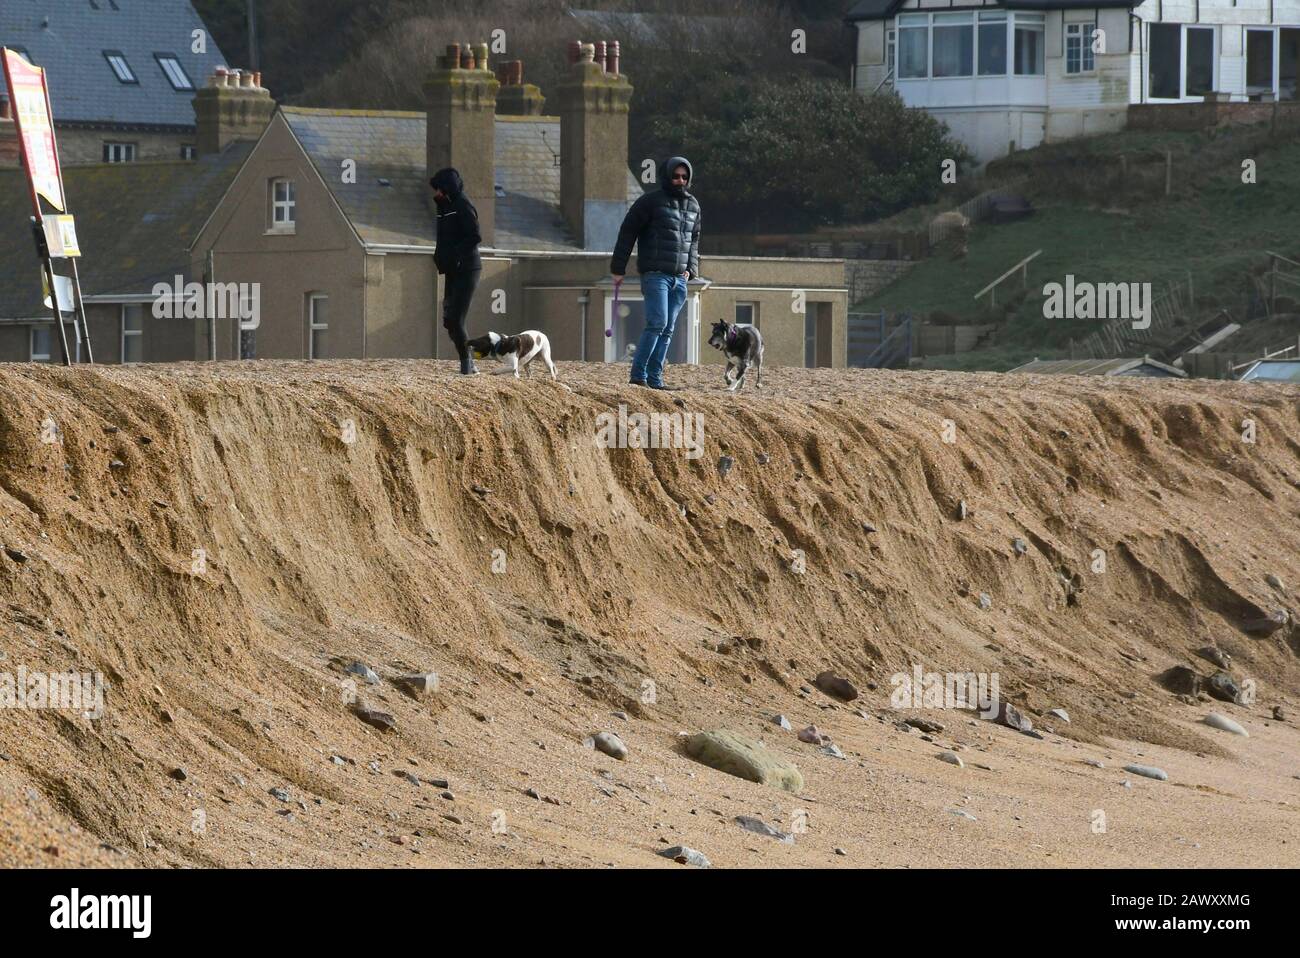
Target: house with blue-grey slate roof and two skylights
<point x="123" y="73"/>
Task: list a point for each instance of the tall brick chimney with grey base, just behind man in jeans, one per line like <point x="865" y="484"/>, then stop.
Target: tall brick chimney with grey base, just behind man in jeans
<point x="593" y="105"/>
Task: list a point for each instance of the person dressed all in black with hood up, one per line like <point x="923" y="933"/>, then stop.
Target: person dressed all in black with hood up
<point x="457" y="258"/>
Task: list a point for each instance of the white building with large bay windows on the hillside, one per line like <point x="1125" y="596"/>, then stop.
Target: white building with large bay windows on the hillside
<point x="1009" y="75"/>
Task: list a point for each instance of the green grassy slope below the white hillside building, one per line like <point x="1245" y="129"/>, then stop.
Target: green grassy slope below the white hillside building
<point x="1215" y="237"/>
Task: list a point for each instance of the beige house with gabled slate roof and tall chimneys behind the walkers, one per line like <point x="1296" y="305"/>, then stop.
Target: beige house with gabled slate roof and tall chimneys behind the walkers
<point x="332" y="216"/>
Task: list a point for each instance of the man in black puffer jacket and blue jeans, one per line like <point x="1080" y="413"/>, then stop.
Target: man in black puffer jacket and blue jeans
<point x="665" y="226"/>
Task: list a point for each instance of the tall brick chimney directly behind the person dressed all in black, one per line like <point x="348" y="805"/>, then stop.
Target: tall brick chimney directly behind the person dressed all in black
<point x="461" y="103"/>
